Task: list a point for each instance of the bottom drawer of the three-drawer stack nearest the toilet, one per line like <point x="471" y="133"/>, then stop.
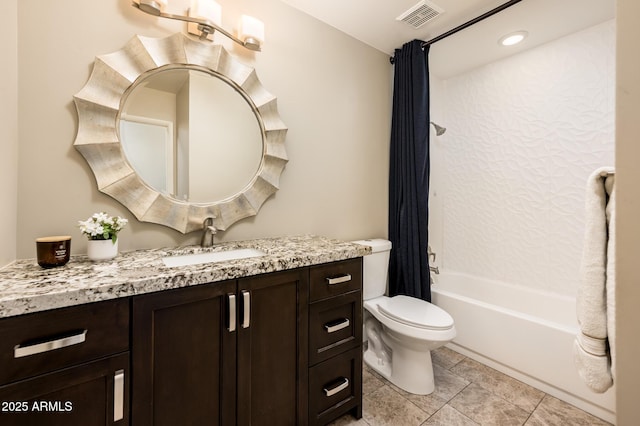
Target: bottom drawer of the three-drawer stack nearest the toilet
<point x="335" y="387"/>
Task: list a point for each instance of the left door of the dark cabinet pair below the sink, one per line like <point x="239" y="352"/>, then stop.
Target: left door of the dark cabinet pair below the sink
<point x="184" y="356"/>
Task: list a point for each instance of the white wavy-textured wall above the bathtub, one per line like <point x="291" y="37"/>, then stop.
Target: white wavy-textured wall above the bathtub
<point x="523" y="134"/>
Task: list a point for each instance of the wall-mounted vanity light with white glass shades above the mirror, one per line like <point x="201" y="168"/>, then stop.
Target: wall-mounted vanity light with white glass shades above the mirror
<point x="205" y="19"/>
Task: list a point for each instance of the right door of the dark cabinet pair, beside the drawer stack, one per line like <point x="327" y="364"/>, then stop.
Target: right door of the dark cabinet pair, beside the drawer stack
<point x="273" y="349"/>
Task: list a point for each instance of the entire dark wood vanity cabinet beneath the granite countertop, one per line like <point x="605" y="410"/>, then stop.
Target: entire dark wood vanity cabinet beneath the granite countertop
<point x="283" y="348"/>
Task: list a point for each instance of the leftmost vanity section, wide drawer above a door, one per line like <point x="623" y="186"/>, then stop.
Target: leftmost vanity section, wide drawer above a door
<point x="66" y="367"/>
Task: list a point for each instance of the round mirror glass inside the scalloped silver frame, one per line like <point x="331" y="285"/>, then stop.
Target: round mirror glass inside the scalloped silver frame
<point x="188" y="134"/>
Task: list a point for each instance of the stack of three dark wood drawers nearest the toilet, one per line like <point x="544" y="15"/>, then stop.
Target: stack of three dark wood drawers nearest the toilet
<point x="335" y="341"/>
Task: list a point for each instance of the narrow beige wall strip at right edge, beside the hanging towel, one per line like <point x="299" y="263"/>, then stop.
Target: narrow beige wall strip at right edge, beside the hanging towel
<point x="628" y="210"/>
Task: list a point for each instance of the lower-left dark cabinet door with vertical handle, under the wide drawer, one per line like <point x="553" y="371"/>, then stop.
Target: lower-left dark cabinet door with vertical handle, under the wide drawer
<point x="91" y="394"/>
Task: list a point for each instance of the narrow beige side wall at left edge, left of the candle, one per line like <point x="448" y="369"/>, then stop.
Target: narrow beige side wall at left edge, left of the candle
<point x="8" y="131"/>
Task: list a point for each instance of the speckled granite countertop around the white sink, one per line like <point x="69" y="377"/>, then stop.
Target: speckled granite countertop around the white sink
<point x="25" y="287"/>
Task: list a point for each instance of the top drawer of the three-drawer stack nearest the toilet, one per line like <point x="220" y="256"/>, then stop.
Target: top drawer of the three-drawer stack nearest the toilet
<point x="335" y="278"/>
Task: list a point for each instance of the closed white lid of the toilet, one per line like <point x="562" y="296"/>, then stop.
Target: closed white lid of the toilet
<point x="416" y="313"/>
